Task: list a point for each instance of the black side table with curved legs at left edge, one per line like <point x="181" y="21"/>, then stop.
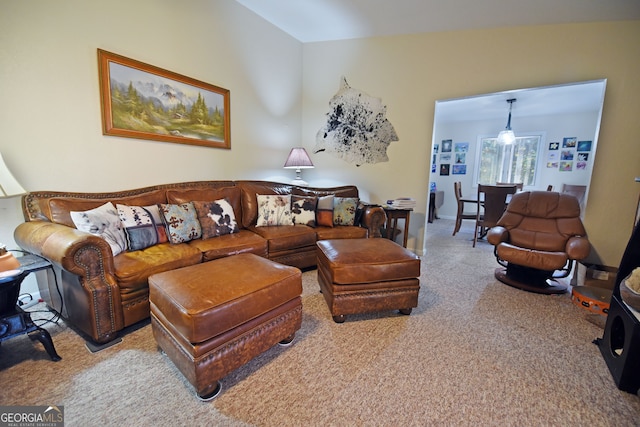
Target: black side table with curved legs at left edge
<point x="14" y="321"/>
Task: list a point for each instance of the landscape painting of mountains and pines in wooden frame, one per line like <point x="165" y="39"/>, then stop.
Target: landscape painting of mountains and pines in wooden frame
<point x="142" y="101"/>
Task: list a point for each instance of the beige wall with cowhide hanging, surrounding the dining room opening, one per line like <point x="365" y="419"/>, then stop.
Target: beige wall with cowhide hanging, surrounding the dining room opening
<point x="410" y="73"/>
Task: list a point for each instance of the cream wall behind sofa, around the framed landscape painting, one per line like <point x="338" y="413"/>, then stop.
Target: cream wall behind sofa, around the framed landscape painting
<point x="50" y="111"/>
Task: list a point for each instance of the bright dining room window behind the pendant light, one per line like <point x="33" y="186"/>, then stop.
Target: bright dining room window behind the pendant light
<point x="508" y="163"/>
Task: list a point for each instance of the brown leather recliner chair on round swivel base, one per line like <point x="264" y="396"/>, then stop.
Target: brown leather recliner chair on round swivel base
<point x="538" y="239"/>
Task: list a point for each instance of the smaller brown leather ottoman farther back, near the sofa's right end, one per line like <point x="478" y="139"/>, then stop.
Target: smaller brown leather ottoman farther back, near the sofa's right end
<point x="367" y="275"/>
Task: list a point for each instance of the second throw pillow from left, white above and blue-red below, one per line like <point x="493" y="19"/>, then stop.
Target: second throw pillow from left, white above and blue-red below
<point x="143" y="226"/>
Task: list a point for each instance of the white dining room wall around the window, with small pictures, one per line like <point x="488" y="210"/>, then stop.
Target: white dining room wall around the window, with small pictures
<point x="553" y="128"/>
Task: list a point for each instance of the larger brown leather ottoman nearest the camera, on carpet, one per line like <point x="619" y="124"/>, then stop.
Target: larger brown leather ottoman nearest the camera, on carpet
<point x="214" y="317"/>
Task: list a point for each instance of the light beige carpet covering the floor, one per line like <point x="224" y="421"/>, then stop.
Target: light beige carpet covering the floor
<point x="474" y="352"/>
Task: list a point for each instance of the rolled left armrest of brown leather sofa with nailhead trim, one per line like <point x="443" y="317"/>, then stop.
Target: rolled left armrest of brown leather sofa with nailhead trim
<point x="92" y="301"/>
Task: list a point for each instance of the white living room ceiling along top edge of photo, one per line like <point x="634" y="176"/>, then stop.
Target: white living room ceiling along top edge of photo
<point x="324" y="20"/>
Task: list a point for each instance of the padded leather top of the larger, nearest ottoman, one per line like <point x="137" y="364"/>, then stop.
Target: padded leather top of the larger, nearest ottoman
<point x="208" y="299"/>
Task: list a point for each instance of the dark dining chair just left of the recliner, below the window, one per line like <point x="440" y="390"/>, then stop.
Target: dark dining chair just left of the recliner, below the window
<point x="493" y="200"/>
